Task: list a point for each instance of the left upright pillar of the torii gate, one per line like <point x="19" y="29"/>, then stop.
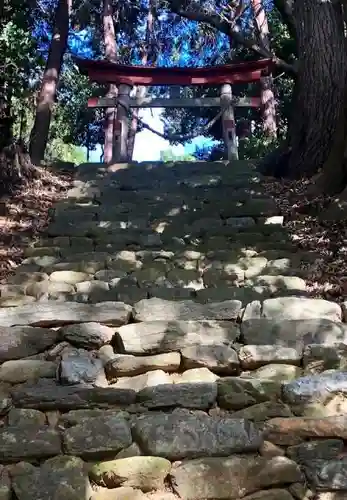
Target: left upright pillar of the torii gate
<point x="120" y="150"/>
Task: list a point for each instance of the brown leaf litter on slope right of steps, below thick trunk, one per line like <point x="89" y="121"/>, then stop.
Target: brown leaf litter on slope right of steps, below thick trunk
<point x="326" y="276"/>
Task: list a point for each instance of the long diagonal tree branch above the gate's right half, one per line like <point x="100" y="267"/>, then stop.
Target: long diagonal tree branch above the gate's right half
<point x="230" y="30"/>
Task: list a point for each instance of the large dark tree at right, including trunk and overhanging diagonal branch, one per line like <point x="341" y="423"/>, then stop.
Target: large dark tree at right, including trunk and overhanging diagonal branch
<point x="316" y="137"/>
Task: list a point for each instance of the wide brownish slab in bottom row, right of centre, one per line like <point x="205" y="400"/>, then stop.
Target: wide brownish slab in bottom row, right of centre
<point x="233" y="477"/>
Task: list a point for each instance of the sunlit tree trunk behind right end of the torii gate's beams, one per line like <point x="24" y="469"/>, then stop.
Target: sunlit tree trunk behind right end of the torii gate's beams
<point x="266" y="83"/>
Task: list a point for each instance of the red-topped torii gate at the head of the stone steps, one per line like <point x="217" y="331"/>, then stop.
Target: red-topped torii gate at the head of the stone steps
<point x="126" y="77"/>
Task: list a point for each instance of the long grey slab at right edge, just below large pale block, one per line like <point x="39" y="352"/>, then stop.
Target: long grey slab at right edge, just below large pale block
<point x="293" y="333"/>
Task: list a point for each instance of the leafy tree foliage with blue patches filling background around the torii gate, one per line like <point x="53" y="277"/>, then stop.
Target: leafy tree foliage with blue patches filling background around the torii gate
<point x="74" y="125"/>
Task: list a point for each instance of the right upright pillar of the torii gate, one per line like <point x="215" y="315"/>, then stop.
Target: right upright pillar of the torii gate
<point x="228" y="122"/>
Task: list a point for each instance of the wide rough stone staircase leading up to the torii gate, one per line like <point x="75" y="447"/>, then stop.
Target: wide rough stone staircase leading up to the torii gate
<point x="158" y="343"/>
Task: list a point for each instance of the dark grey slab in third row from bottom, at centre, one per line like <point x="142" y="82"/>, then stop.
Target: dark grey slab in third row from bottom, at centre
<point x="186" y="395"/>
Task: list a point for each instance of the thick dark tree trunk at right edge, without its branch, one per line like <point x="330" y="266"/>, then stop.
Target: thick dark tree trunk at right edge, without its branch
<point x="319" y="96"/>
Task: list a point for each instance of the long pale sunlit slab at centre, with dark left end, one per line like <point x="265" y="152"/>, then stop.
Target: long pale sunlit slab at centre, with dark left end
<point x="163" y="336"/>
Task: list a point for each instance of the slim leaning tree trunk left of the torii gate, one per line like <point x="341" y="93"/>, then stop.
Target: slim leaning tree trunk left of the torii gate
<point x="40" y="130"/>
